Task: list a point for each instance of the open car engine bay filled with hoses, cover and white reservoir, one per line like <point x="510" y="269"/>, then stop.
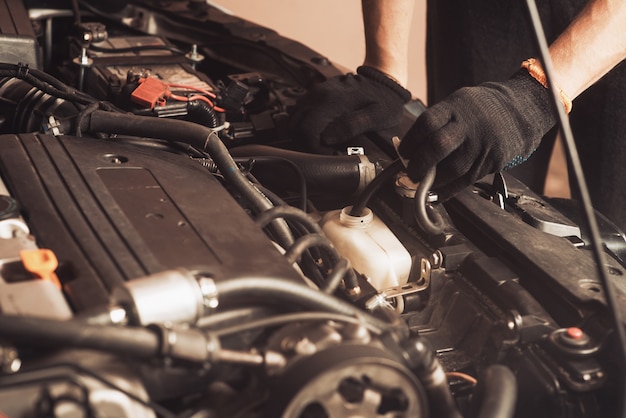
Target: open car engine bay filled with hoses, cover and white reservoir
<point x="170" y="249"/>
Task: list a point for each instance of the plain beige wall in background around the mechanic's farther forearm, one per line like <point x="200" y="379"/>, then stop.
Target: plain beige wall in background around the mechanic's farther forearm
<point x="331" y="27"/>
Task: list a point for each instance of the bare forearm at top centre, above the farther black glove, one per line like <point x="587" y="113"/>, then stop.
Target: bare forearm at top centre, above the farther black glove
<point x="387" y="25"/>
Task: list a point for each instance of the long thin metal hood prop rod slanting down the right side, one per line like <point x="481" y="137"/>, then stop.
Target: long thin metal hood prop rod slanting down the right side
<point x="589" y="217"/>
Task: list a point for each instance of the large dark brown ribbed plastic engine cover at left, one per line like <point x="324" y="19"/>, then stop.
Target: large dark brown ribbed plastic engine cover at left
<point x="112" y="212"/>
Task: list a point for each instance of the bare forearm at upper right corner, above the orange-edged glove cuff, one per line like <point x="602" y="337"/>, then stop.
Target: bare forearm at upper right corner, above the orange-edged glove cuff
<point x="591" y="46"/>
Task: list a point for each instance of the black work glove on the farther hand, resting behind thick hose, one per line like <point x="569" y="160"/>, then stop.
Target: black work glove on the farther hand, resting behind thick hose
<point x="344" y="107"/>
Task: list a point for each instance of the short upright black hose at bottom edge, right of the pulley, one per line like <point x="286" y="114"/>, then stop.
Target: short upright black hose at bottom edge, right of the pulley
<point x="496" y="393"/>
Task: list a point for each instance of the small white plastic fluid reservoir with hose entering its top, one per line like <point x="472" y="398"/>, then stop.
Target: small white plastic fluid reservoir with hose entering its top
<point x="371" y="248"/>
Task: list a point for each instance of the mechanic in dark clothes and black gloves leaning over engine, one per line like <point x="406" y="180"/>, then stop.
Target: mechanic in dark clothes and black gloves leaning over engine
<point x="470" y="132"/>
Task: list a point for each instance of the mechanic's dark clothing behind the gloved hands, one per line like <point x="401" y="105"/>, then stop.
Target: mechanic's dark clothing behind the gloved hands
<point x="469" y="42"/>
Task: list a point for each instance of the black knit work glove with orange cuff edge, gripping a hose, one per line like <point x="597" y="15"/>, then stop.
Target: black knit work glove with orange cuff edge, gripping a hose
<point x="477" y="131"/>
